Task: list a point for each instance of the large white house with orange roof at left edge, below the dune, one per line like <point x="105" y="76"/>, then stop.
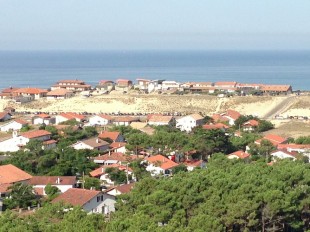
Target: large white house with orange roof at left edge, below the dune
<point x="18" y="141"/>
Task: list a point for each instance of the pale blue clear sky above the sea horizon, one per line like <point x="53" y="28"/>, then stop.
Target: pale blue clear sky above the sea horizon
<point x="154" y="24"/>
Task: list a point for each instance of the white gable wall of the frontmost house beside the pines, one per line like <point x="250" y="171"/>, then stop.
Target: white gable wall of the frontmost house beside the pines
<point x="104" y="206"/>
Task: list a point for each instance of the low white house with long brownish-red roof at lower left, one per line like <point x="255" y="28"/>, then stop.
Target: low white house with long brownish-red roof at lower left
<point x="63" y="183"/>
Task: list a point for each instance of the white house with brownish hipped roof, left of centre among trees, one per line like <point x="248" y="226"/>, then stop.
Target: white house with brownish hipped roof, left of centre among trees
<point x="91" y="144"/>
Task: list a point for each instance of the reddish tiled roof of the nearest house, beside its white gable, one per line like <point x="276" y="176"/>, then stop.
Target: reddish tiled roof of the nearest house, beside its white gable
<point x="76" y="196"/>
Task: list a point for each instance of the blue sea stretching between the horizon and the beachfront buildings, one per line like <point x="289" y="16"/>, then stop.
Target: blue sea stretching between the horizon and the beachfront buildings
<point x="43" y="69"/>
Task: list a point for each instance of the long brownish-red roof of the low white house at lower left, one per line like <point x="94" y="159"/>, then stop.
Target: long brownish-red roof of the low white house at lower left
<point x="53" y="180"/>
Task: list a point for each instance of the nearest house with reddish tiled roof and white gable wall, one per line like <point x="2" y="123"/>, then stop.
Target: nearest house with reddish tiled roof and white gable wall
<point x="90" y="200"/>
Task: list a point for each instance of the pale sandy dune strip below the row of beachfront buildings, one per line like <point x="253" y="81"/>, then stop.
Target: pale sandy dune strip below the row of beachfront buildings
<point x="135" y="103"/>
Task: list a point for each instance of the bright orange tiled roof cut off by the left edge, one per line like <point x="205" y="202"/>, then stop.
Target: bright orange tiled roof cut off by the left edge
<point x="10" y="174"/>
